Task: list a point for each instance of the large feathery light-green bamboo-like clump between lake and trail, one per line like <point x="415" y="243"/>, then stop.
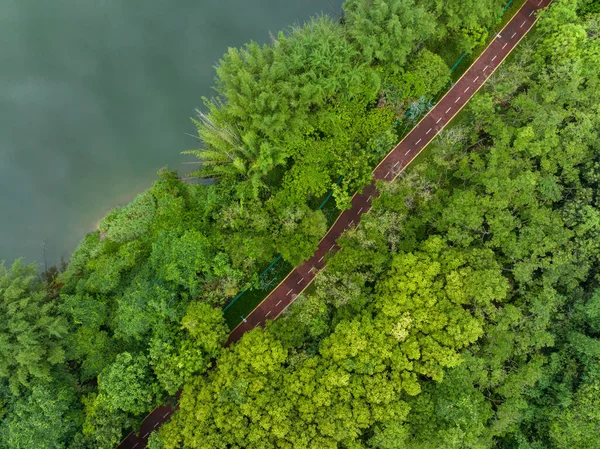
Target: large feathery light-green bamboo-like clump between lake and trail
<point x="271" y="96"/>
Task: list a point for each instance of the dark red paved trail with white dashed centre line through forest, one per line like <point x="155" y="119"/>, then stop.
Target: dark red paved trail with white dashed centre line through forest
<point x="390" y="167"/>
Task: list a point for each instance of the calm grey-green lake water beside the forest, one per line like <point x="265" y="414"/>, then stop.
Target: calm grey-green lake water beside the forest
<point x="95" y="97"/>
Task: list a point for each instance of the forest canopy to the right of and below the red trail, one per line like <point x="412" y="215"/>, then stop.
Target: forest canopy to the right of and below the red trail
<point x="465" y="305"/>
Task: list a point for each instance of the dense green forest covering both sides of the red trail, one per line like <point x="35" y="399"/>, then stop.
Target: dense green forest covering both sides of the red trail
<point x="464" y="311"/>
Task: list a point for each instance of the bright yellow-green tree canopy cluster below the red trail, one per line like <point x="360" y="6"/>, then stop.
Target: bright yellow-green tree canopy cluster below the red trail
<point x="363" y="371"/>
